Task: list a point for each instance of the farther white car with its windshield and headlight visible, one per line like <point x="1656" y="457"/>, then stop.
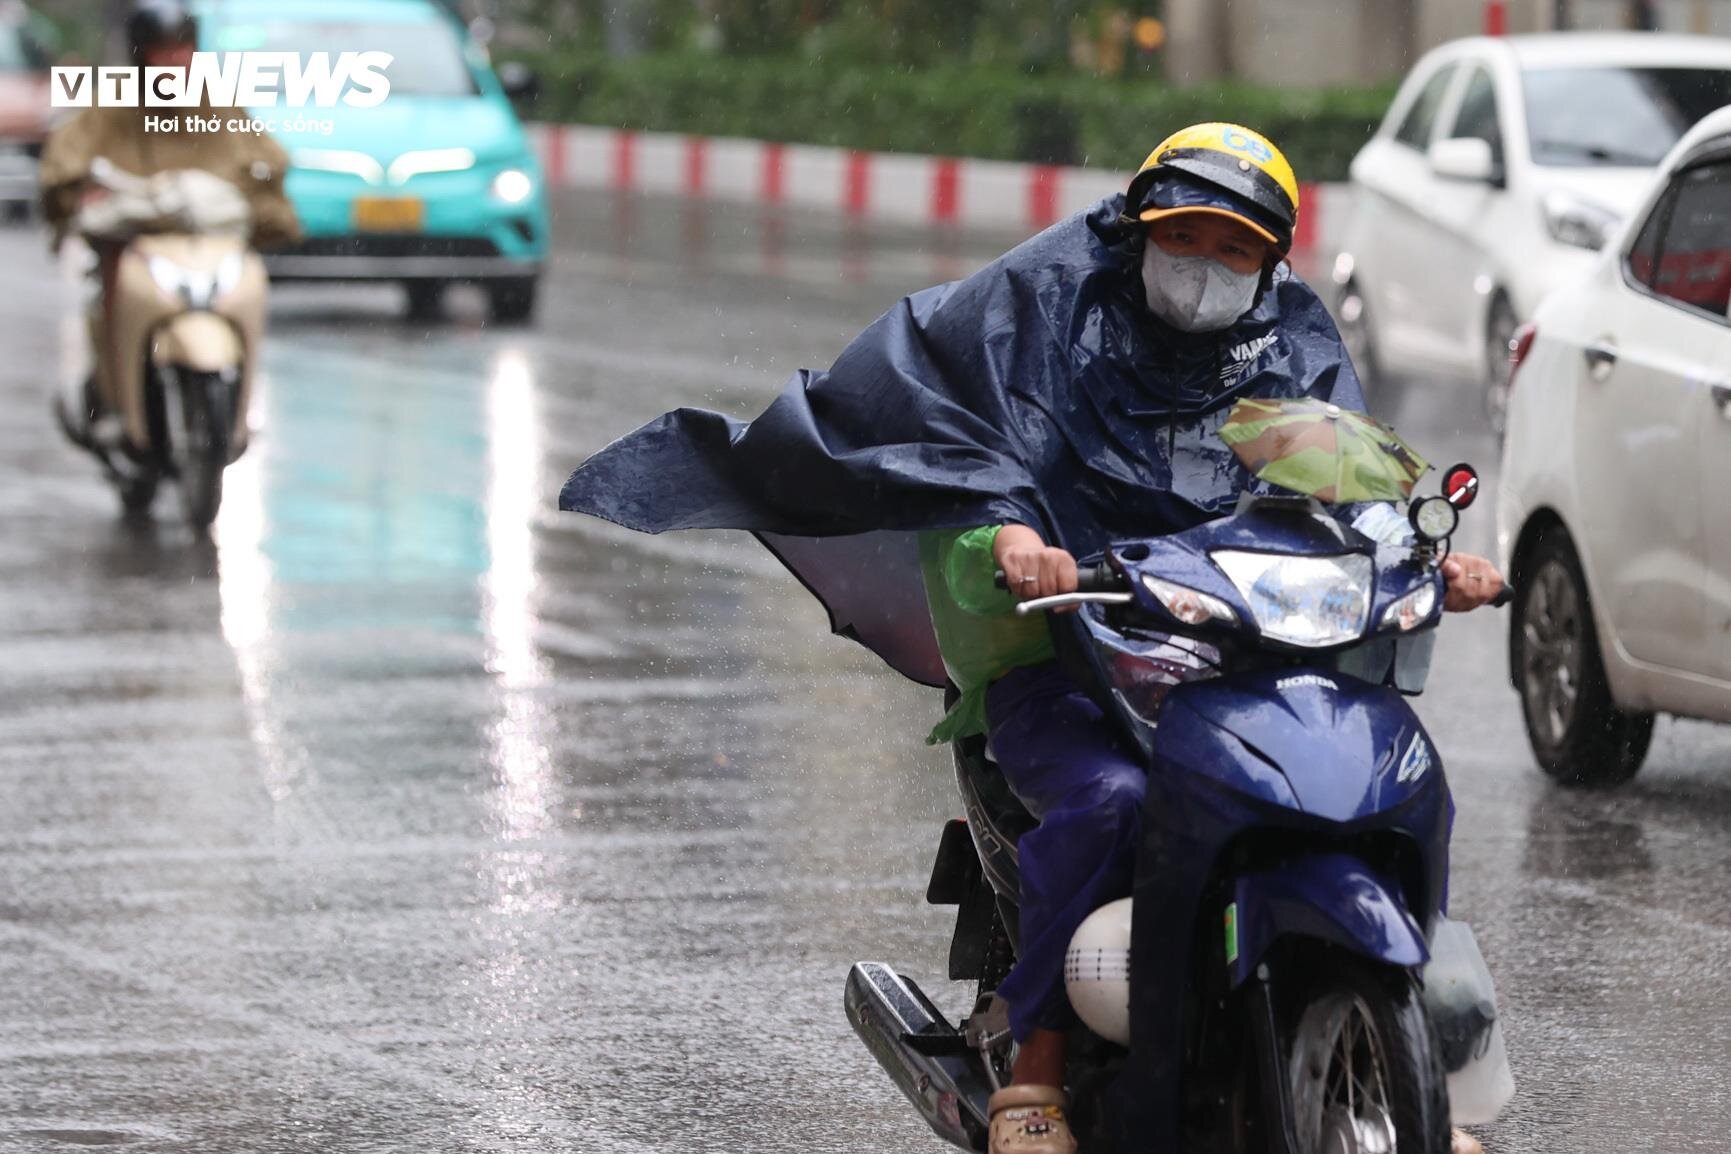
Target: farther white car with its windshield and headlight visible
<point x="1500" y="170"/>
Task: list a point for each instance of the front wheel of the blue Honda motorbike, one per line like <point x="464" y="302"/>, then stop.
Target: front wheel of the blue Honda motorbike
<point x="1363" y="1068"/>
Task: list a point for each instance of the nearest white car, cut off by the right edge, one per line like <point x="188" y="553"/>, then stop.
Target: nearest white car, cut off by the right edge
<point x="1614" y="516"/>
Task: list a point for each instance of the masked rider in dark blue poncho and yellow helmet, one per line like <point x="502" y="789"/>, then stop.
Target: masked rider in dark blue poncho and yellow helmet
<point x="1064" y="397"/>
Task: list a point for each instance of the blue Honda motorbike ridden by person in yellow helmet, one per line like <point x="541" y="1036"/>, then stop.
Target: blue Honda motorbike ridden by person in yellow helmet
<point x="1292" y="868"/>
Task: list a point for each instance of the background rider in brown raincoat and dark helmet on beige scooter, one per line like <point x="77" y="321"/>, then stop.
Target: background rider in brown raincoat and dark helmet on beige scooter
<point x="160" y="34"/>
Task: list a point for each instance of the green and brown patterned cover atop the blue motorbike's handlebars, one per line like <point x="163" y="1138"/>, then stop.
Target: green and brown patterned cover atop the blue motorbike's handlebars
<point x="1322" y="451"/>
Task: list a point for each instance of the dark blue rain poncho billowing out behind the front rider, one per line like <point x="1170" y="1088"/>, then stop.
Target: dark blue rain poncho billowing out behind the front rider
<point x="1039" y="390"/>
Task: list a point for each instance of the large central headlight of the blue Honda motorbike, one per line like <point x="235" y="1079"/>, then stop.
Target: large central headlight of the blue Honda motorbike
<point x="1313" y="603"/>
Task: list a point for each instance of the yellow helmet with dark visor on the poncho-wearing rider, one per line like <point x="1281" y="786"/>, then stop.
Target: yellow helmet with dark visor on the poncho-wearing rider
<point x="1219" y="169"/>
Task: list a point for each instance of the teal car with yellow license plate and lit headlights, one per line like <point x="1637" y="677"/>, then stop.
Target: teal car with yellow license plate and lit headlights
<point x="437" y="184"/>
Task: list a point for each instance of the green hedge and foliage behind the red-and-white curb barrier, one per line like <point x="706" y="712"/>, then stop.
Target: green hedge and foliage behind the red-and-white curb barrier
<point x="1055" y="82"/>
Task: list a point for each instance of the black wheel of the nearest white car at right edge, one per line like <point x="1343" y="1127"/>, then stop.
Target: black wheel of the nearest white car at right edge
<point x="1586" y="741"/>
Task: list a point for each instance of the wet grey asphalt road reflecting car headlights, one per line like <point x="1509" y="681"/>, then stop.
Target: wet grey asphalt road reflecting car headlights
<point x="411" y="816"/>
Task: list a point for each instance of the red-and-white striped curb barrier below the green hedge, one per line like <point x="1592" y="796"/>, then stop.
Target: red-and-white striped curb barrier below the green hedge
<point x="878" y="186"/>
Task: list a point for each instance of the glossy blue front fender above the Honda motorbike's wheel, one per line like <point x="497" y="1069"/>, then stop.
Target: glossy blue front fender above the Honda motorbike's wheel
<point x="1329" y="897"/>
